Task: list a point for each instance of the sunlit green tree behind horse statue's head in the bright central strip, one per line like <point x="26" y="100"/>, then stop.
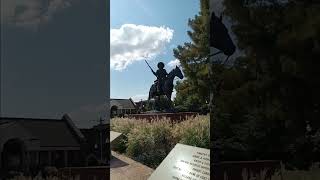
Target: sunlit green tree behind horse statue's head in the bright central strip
<point x="193" y="92"/>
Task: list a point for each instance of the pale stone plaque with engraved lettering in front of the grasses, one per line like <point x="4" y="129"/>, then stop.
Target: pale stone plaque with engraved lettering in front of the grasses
<point x="184" y="163"/>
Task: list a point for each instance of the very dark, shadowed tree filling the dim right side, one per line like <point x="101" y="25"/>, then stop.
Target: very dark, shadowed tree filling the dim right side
<point x="271" y="95"/>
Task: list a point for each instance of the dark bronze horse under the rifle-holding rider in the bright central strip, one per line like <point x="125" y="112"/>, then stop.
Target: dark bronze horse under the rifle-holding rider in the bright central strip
<point x="167" y="86"/>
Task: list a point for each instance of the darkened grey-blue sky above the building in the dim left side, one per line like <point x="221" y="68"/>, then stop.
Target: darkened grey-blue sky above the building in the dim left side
<point x="53" y="59"/>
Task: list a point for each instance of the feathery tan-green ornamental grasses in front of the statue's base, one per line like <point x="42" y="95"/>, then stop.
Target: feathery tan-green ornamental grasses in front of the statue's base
<point x="150" y="142"/>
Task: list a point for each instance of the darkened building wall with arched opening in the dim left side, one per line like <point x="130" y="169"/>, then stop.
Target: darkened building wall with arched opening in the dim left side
<point x="36" y="156"/>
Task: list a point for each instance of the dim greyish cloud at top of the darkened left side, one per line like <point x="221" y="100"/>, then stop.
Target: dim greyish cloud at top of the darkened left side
<point x="31" y="13"/>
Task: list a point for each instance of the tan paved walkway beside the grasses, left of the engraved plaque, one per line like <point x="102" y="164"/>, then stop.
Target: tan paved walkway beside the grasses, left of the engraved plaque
<point x="124" y="168"/>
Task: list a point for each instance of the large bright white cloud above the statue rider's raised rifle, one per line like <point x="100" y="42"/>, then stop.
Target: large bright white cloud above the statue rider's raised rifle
<point x="132" y="43"/>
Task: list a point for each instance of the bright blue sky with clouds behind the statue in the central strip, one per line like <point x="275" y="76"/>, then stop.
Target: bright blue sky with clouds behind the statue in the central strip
<point x="156" y="17"/>
